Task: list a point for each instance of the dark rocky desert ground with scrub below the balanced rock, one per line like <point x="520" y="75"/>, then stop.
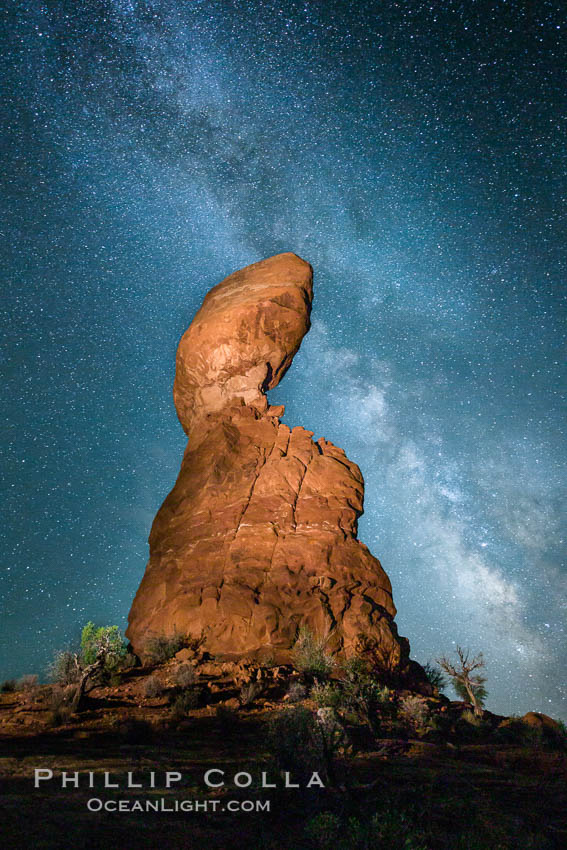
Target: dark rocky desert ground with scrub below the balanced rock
<point x="451" y="782"/>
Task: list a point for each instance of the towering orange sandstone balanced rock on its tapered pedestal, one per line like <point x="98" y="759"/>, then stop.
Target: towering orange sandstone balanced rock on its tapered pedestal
<point x="258" y="535"/>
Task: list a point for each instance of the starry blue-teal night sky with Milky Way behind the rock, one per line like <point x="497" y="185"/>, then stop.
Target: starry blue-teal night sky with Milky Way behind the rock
<point x="415" y="154"/>
